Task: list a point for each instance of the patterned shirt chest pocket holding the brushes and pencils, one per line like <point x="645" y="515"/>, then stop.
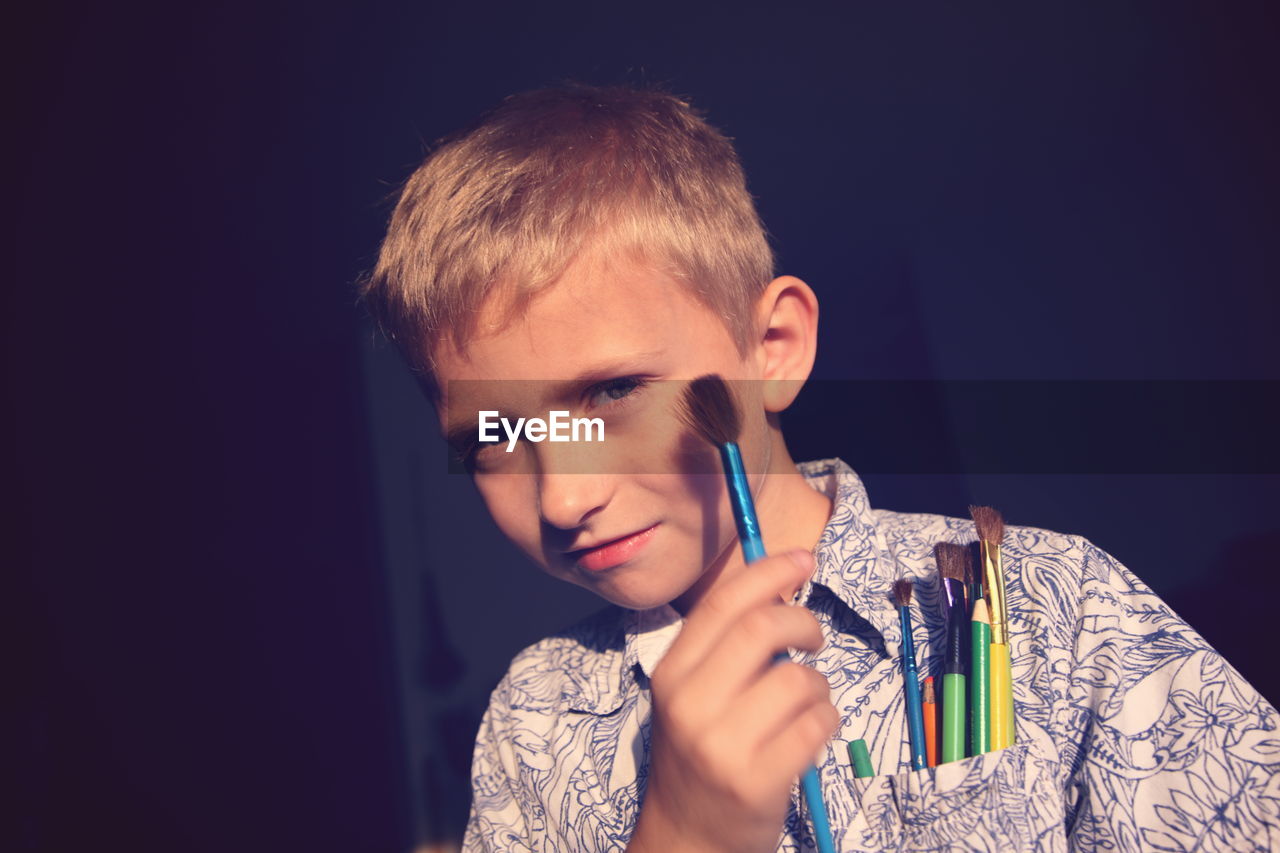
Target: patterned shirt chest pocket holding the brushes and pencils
<point x="999" y="801"/>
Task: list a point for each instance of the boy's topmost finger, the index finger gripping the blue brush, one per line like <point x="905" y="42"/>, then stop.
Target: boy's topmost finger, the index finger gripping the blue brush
<point x="760" y="583"/>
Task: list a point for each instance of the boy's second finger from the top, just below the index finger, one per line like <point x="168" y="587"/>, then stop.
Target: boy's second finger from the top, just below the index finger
<point x="743" y="656"/>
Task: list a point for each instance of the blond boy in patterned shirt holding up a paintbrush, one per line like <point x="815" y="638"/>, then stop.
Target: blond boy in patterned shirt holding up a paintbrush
<point x="601" y="241"/>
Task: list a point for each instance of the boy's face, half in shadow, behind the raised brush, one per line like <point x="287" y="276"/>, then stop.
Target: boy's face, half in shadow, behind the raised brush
<point x="639" y="518"/>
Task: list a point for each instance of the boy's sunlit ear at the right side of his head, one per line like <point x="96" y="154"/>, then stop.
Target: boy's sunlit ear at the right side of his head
<point x="788" y="318"/>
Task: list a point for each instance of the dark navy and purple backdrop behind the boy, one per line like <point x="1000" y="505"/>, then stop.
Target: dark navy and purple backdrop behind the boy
<point x="244" y="606"/>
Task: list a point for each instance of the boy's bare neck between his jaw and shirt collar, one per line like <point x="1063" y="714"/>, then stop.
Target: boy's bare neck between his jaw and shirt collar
<point x="793" y="517"/>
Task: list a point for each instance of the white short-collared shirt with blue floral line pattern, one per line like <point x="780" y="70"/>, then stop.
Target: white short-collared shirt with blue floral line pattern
<point x="1132" y="733"/>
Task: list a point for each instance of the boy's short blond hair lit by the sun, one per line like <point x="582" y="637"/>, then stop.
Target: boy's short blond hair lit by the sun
<point x="548" y="176"/>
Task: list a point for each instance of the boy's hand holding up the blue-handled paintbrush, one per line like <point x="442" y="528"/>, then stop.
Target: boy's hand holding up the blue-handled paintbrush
<point x="733" y="731"/>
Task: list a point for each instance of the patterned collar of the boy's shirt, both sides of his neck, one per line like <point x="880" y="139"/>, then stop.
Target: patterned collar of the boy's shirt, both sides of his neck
<point x="854" y="564"/>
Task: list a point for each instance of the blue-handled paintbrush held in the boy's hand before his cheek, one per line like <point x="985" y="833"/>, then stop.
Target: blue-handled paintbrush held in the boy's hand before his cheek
<point x="711" y="412"/>
